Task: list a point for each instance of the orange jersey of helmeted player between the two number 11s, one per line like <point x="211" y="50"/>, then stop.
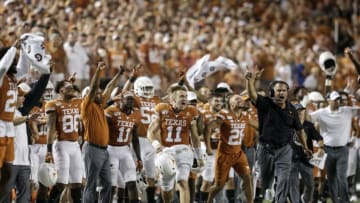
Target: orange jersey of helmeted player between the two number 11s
<point x="146" y="107"/>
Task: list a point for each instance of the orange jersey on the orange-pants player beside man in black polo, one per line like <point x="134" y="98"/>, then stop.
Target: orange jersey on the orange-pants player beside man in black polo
<point x="232" y="131"/>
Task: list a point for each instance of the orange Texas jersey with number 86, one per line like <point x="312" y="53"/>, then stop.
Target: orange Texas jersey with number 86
<point x="67" y="118"/>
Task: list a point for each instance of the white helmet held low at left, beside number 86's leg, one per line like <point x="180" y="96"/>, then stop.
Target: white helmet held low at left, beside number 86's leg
<point x="47" y="174"/>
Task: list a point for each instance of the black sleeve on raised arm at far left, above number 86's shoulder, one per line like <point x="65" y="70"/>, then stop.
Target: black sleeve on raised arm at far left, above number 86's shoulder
<point x="33" y="97"/>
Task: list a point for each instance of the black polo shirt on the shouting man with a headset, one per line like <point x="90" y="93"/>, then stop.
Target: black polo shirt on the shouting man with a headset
<point x="276" y="125"/>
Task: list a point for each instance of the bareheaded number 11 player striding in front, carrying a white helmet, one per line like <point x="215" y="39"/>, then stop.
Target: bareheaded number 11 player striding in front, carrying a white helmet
<point x="173" y="131"/>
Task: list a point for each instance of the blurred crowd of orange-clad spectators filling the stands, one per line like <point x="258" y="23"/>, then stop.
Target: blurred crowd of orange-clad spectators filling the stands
<point x="164" y="35"/>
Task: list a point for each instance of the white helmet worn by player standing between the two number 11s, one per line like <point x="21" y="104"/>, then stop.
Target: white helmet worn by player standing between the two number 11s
<point x="144" y="87"/>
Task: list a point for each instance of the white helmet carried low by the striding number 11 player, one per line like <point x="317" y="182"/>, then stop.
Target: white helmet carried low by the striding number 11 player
<point x="165" y="164"/>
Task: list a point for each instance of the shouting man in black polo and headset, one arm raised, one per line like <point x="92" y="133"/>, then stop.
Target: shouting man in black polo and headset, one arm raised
<point x="278" y="122"/>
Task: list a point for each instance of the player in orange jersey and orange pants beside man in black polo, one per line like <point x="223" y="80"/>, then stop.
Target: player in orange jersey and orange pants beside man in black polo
<point x="233" y="126"/>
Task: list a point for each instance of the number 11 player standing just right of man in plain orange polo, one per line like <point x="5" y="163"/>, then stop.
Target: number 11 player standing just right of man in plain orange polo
<point x="123" y="120"/>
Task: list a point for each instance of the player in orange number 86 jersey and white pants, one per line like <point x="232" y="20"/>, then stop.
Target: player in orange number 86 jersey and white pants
<point x="62" y="123"/>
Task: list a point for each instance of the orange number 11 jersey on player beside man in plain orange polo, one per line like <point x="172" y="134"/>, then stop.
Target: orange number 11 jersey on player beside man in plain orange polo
<point x="121" y="126"/>
